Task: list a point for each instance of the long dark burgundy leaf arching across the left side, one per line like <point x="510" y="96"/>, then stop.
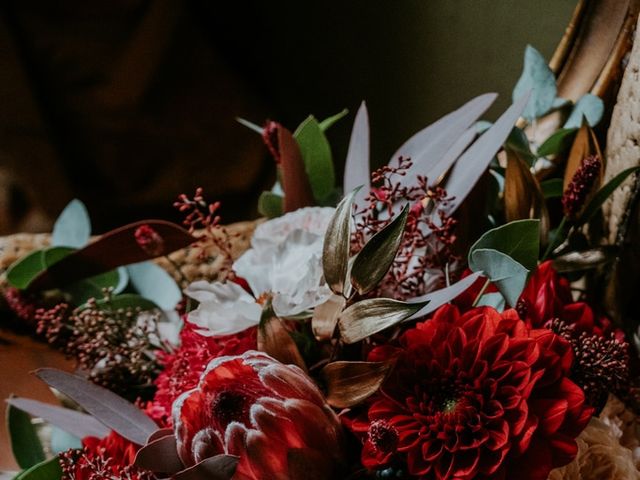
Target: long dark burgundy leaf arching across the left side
<point x="113" y="249"/>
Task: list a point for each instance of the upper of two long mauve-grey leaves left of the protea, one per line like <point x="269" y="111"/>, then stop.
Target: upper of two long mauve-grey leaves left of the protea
<point x="107" y="407"/>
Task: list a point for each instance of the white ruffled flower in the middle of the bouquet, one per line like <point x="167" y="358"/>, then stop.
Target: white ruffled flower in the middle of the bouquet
<point x="284" y="264"/>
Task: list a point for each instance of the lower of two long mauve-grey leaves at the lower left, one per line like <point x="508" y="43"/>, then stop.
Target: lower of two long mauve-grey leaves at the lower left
<point x="78" y="424"/>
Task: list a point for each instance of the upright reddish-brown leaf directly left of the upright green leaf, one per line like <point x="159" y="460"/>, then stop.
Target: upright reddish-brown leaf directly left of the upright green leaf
<point x="297" y="190"/>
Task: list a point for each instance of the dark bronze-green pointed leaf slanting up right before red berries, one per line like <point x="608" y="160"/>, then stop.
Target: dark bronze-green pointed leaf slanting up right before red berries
<point x="377" y="255"/>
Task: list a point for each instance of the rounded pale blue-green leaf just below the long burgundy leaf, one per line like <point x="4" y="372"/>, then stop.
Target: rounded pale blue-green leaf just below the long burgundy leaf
<point x="155" y="284"/>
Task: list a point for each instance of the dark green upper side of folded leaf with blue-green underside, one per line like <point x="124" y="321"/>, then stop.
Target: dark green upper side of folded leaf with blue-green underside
<point x="520" y="240"/>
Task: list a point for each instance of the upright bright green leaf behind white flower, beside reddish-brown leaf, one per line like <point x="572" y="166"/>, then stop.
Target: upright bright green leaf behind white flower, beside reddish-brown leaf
<point x="316" y="155"/>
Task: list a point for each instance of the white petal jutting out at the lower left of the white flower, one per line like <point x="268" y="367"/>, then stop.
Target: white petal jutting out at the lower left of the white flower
<point x="224" y="308"/>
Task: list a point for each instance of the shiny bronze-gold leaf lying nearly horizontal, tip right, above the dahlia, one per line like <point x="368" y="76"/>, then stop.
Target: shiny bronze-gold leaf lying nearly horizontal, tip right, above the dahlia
<point x="373" y="315"/>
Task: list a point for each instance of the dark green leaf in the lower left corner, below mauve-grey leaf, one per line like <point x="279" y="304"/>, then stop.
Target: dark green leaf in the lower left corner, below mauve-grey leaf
<point x="25" y="444"/>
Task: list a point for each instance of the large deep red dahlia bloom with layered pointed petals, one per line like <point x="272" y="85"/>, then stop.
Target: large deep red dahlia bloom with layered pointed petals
<point x="475" y="396"/>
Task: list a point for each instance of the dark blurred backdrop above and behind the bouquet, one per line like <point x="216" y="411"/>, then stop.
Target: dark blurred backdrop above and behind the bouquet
<point x="127" y="103"/>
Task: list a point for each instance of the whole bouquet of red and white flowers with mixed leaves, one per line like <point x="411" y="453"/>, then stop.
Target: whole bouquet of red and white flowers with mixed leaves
<point x="412" y="328"/>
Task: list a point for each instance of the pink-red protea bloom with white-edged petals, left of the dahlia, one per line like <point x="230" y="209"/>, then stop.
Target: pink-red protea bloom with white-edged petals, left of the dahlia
<point x="270" y="415"/>
